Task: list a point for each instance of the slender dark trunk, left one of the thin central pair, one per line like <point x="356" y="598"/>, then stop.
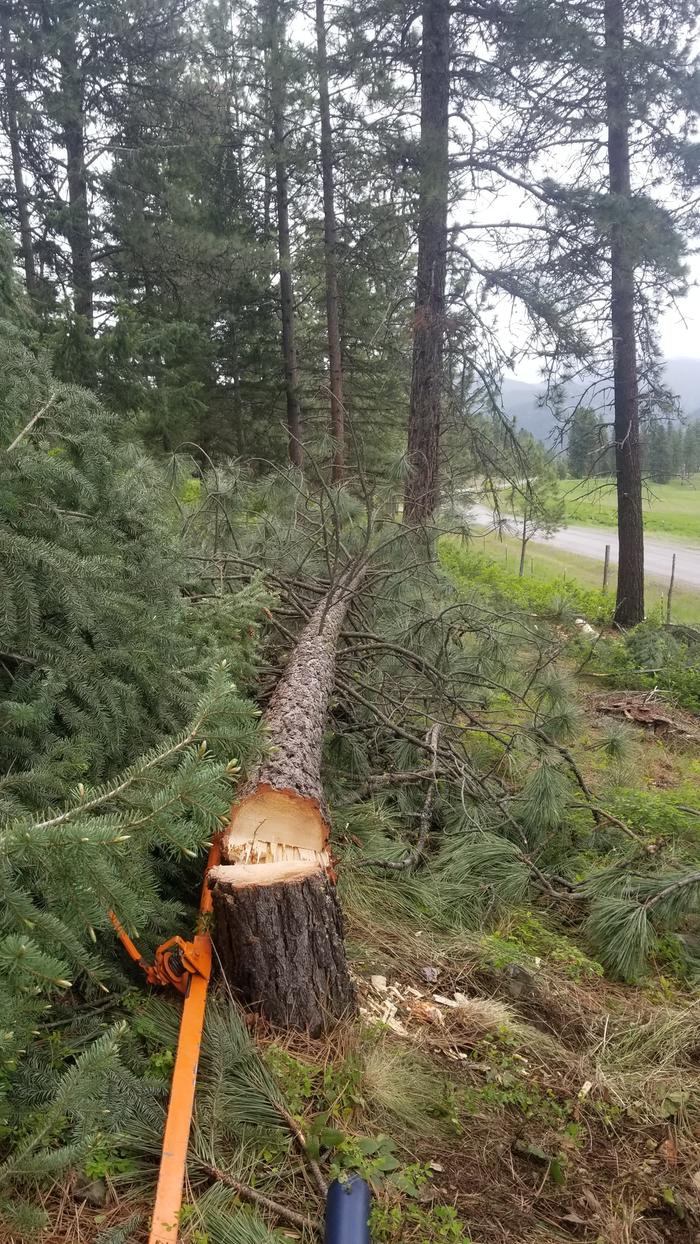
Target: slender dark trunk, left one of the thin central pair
<point x="278" y="104"/>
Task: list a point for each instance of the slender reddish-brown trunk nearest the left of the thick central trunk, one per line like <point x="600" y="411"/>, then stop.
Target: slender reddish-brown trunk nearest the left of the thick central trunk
<point x="330" y="251"/>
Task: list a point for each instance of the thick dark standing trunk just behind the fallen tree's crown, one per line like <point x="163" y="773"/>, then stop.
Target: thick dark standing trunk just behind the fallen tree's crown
<point x="421" y="498"/>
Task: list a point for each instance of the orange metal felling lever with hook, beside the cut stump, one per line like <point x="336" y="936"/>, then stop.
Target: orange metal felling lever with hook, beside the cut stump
<point x="187" y="966"/>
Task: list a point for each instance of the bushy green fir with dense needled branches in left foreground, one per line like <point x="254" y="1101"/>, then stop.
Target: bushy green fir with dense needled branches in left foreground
<point x="122" y="725"/>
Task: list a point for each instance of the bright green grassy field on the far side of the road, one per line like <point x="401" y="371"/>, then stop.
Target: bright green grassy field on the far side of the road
<point x="670" y="509"/>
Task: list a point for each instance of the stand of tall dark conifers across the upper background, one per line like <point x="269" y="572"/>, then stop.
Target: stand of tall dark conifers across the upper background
<point x="279" y="234"/>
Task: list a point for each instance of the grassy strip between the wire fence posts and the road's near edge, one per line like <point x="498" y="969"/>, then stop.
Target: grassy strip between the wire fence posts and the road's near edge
<point x="546" y="563"/>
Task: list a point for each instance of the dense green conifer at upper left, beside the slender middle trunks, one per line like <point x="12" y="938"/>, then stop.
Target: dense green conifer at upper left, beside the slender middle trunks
<point x="193" y="341"/>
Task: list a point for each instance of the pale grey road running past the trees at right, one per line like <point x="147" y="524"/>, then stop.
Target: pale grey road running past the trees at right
<point x="591" y="543"/>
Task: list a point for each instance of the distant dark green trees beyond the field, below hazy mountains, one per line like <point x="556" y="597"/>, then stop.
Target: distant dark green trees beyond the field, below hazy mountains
<point x="668" y="451"/>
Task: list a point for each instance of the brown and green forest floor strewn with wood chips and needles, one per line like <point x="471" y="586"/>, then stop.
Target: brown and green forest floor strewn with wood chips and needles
<point x="494" y="1088"/>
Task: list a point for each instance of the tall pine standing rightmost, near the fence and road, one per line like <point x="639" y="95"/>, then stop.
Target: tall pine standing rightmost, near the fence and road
<point x="626" y="67"/>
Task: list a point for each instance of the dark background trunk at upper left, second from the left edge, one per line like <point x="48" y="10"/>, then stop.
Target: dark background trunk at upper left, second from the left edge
<point x="79" y="231"/>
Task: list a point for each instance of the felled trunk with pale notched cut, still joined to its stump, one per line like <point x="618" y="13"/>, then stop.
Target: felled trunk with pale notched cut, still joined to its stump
<point x="279" y="926"/>
